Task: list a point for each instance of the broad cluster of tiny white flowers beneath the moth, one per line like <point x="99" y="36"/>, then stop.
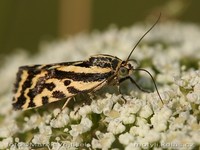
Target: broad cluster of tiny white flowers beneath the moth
<point x="172" y="54"/>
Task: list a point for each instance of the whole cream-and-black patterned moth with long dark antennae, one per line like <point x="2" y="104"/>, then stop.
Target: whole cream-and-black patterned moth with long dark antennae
<point x="38" y="85"/>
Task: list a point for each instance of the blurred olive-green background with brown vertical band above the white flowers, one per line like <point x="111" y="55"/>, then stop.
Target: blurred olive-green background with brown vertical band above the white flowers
<point x="24" y="24"/>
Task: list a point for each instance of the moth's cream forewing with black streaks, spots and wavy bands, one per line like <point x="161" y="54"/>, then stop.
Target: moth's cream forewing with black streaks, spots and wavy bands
<point x="41" y="84"/>
